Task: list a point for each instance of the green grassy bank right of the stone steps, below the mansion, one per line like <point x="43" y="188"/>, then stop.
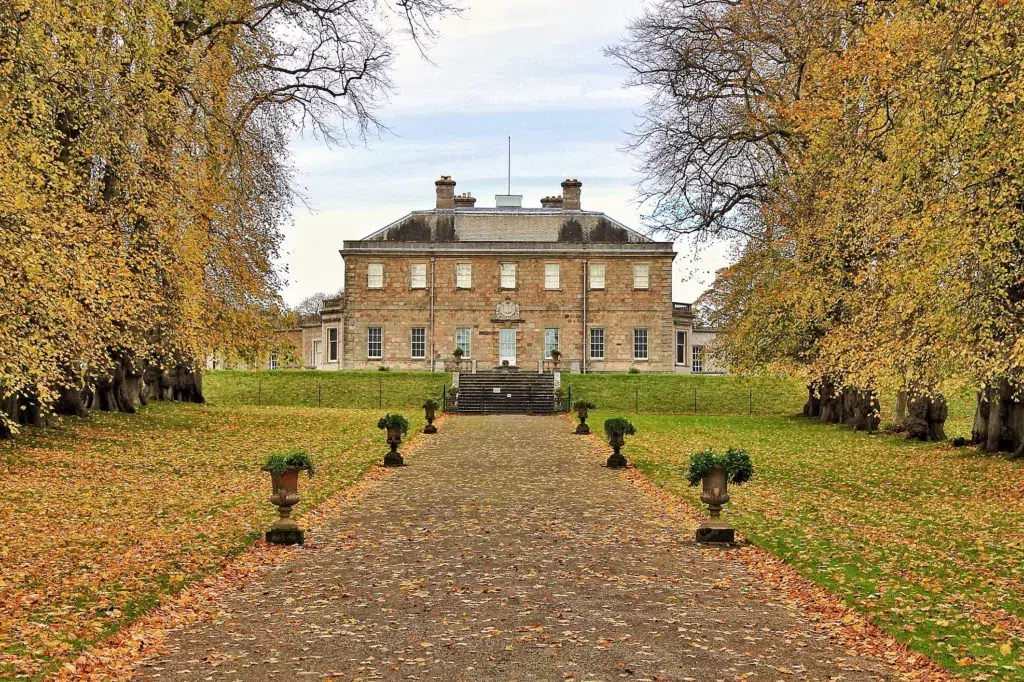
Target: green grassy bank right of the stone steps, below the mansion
<point x="710" y="395"/>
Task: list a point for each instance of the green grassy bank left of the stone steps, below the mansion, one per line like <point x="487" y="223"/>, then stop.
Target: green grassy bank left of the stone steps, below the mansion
<point x="350" y="390"/>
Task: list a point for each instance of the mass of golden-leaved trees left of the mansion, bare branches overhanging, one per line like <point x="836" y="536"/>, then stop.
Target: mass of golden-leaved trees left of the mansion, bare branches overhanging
<point x="147" y="181"/>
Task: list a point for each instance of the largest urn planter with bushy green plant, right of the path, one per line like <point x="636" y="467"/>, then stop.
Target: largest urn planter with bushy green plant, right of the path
<point x="715" y="473"/>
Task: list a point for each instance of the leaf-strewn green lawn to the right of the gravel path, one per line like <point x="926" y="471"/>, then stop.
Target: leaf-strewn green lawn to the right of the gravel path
<point x="927" y="539"/>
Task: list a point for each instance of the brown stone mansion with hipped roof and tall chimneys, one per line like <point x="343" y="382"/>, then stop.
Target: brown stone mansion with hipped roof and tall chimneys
<point x="506" y="284"/>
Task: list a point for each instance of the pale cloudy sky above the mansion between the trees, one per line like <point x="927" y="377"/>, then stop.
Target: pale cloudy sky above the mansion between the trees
<point x="530" y="69"/>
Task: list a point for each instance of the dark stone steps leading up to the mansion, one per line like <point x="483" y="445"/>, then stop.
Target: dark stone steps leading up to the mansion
<point x="507" y="393"/>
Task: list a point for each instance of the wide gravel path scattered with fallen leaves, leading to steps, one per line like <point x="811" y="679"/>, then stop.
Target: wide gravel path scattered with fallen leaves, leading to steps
<point x="504" y="551"/>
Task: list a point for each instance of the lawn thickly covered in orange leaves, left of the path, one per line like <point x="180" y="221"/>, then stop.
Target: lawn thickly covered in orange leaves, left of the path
<point x="105" y="516"/>
